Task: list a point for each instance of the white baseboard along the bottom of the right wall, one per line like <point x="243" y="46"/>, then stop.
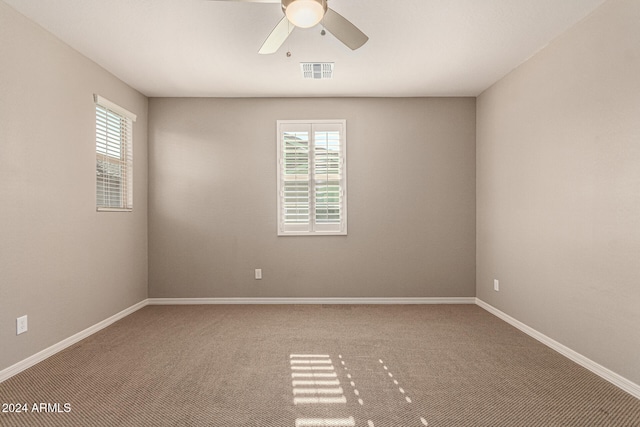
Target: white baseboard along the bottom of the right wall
<point x="615" y="379"/>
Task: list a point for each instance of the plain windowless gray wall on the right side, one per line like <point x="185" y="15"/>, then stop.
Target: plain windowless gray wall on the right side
<point x="558" y="189"/>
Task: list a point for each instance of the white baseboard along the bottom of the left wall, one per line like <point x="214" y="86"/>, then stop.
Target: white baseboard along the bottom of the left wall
<point x="50" y="351"/>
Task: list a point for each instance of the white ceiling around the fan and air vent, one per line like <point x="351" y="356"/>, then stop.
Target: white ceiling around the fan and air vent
<point x="209" y="48"/>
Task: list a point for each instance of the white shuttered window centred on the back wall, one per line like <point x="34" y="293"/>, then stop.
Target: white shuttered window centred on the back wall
<point x="312" y="179"/>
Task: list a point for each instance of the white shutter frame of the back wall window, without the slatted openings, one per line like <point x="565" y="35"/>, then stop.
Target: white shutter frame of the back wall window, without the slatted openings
<point x="313" y="227"/>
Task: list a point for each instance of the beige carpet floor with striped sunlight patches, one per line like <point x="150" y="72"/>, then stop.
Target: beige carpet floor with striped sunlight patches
<point x="370" y="366"/>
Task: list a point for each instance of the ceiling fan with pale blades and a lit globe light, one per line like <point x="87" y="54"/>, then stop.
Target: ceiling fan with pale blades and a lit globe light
<point x="306" y="14"/>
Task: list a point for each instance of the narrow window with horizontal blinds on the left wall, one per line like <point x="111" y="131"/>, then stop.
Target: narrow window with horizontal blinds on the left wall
<point x="114" y="156"/>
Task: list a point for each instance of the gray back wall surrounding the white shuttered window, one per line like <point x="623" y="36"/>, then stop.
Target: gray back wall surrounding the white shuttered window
<point x="411" y="203"/>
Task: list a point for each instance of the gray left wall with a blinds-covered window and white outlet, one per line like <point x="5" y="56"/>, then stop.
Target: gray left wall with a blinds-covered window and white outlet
<point x="61" y="263"/>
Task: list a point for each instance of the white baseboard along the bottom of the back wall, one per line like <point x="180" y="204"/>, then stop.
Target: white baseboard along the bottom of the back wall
<point x="418" y="300"/>
